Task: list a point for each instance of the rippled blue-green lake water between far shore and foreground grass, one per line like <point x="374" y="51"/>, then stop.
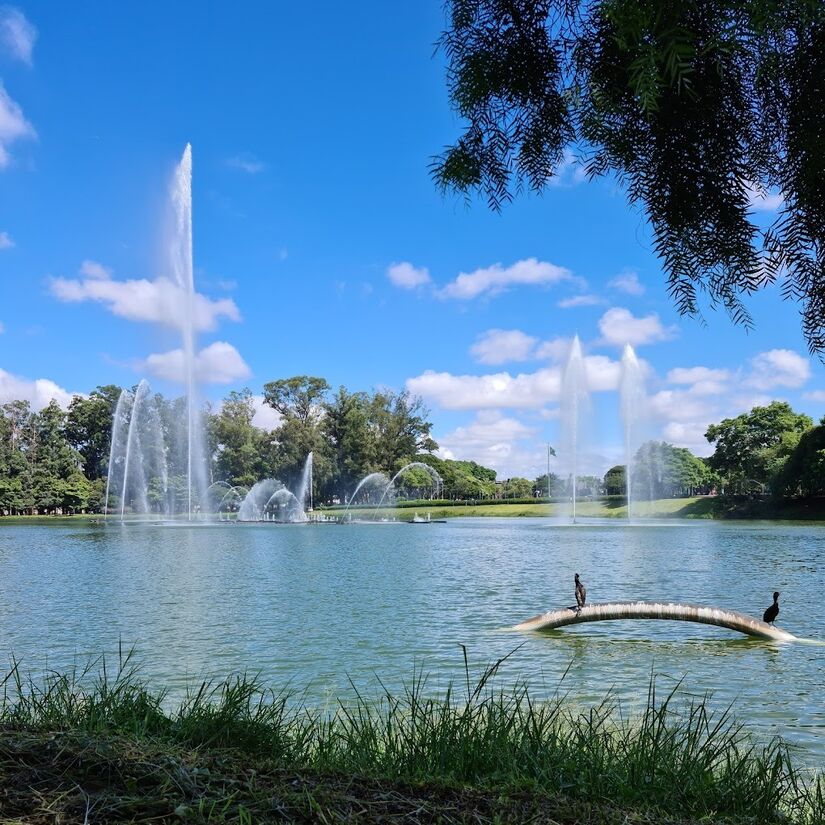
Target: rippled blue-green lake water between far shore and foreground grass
<point x="318" y="605"/>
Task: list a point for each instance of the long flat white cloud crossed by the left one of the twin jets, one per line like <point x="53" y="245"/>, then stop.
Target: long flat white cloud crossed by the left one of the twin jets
<point x="502" y="390"/>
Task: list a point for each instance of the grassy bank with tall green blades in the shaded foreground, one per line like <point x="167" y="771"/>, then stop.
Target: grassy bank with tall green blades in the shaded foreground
<point x="236" y="752"/>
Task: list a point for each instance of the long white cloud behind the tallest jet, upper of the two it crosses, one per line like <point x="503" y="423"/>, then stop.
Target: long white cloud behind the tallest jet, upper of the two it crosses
<point x="159" y="301"/>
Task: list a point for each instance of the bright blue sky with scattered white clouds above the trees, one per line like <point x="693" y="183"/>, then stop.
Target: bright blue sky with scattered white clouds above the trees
<point x="321" y="244"/>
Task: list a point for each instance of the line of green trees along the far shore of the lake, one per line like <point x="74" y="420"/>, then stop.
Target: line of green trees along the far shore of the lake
<point x="56" y="460"/>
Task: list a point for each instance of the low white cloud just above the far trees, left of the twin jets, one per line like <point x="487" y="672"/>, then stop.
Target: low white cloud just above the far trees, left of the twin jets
<point x="495" y="441"/>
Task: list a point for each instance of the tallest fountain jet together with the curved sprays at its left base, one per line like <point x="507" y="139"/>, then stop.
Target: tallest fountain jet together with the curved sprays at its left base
<point x="141" y="448"/>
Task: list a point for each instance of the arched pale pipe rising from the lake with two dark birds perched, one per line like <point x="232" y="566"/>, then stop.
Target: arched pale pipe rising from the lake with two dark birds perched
<point x="673" y="611"/>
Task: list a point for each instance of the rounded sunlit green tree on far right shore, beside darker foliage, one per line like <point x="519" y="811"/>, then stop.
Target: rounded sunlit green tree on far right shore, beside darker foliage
<point x="753" y="446"/>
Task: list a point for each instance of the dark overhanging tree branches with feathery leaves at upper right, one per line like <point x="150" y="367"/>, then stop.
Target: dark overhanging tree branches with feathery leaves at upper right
<point x="692" y="106"/>
